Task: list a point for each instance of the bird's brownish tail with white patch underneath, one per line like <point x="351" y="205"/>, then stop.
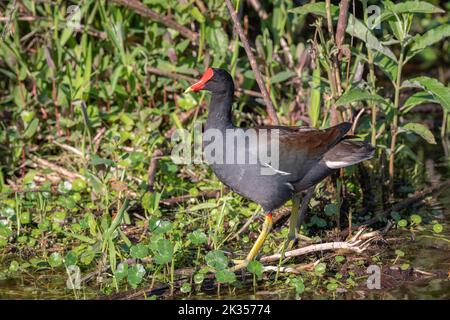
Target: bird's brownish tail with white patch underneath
<point x="347" y="153"/>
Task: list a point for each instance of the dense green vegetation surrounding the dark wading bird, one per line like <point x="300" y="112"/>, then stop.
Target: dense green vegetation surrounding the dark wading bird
<point x="89" y="100"/>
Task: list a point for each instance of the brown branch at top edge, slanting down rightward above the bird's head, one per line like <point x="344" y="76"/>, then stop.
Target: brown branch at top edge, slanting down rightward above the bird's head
<point x="142" y="10"/>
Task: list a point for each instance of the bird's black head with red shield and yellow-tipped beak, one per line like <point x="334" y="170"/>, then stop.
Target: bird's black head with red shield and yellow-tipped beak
<point x="214" y="80"/>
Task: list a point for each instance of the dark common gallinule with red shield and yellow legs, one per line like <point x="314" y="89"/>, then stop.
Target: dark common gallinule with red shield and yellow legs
<point x="305" y="155"/>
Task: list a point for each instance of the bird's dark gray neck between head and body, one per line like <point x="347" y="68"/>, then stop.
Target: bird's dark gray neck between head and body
<point x="219" y="113"/>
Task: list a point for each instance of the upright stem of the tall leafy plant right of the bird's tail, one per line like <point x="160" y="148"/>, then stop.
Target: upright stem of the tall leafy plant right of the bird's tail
<point x="394" y="127"/>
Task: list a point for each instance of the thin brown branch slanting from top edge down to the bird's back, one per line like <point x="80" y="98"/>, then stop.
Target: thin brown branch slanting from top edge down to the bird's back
<point x="269" y="106"/>
